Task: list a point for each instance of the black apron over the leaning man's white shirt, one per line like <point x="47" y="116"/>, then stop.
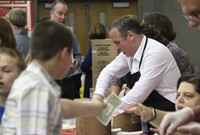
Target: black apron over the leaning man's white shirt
<point x="154" y="100"/>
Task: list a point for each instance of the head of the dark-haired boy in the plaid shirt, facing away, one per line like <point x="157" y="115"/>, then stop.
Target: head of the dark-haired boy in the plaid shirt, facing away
<point x="52" y="41"/>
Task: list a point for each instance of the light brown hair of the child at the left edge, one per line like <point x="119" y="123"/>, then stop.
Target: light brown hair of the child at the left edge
<point x="15" y="54"/>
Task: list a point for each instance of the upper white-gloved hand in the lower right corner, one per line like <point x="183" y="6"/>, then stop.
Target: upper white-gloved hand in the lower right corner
<point x="173" y="120"/>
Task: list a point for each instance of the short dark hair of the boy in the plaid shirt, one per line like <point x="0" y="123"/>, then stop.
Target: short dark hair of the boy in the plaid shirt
<point x="48" y="38"/>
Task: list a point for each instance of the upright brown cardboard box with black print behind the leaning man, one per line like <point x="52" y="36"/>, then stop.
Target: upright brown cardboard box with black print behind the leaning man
<point x="103" y="52"/>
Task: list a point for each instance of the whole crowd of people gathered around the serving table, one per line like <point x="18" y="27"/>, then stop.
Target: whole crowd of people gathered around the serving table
<point x="159" y="81"/>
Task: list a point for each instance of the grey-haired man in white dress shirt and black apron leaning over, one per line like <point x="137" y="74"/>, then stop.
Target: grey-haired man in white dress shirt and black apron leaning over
<point x="153" y="69"/>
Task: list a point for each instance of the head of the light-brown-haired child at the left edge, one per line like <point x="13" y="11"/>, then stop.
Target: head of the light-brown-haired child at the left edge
<point x="11" y="65"/>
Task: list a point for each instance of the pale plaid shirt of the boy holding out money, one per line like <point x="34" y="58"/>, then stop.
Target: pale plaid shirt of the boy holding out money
<point x="33" y="105"/>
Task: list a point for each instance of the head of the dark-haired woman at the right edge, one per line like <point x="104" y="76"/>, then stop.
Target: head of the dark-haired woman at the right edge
<point x="188" y="93"/>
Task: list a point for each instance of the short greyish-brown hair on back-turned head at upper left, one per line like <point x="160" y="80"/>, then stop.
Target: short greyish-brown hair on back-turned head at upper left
<point x="17" y="17"/>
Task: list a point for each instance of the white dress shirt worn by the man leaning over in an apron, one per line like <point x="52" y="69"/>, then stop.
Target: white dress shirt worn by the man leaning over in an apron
<point x="158" y="70"/>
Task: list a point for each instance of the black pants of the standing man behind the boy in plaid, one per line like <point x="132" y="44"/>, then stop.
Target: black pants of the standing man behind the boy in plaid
<point x="70" y="87"/>
